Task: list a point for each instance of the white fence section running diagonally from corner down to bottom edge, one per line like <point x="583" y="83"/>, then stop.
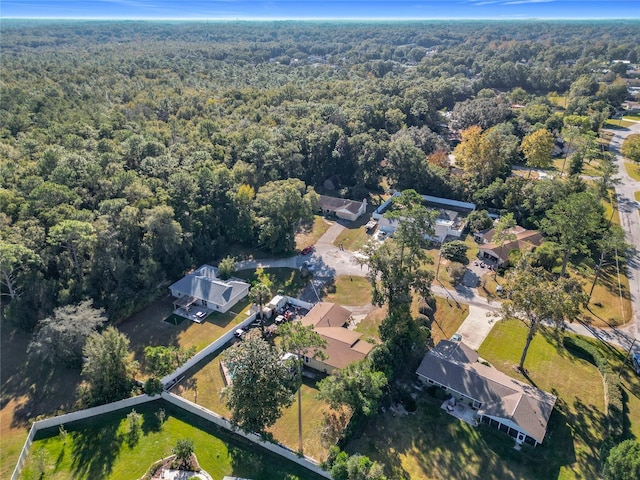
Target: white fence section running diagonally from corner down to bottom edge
<point x="283" y="451"/>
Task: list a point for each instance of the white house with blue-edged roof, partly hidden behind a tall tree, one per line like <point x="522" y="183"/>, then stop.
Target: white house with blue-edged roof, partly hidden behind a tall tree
<point x="450" y="221"/>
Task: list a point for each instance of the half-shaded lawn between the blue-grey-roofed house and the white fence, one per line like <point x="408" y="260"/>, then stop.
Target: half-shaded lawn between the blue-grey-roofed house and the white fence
<point x="149" y="328"/>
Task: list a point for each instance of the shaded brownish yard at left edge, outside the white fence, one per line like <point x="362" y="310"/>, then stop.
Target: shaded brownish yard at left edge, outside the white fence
<point x="28" y="389"/>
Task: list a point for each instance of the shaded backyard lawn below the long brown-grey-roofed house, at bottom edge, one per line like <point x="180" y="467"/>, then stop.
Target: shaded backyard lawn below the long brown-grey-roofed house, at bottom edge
<point x="430" y="444"/>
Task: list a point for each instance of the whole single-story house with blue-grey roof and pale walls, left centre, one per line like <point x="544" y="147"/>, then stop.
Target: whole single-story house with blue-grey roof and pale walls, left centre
<point x="204" y="287"/>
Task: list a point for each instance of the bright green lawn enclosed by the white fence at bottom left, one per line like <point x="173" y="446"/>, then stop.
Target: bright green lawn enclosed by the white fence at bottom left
<point x="99" y="448"/>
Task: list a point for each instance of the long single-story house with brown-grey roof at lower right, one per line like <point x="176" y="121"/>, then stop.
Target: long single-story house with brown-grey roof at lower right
<point x="513" y="407"/>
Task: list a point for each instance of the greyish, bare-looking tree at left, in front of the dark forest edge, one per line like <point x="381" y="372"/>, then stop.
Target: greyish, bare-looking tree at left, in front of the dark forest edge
<point x="62" y="337"/>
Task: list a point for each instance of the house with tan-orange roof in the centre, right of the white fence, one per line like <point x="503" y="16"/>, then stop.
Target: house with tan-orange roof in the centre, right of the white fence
<point x="344" y="346"/>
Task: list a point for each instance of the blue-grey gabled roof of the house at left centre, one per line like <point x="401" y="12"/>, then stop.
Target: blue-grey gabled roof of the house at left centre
<point x="204" y="284"/>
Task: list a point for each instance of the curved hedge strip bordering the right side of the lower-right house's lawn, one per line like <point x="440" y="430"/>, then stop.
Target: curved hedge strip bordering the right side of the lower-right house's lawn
<point x="613" y="392"/>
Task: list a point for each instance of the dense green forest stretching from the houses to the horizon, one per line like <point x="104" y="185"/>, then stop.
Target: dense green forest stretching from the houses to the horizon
<point x="132" y="151"/>
